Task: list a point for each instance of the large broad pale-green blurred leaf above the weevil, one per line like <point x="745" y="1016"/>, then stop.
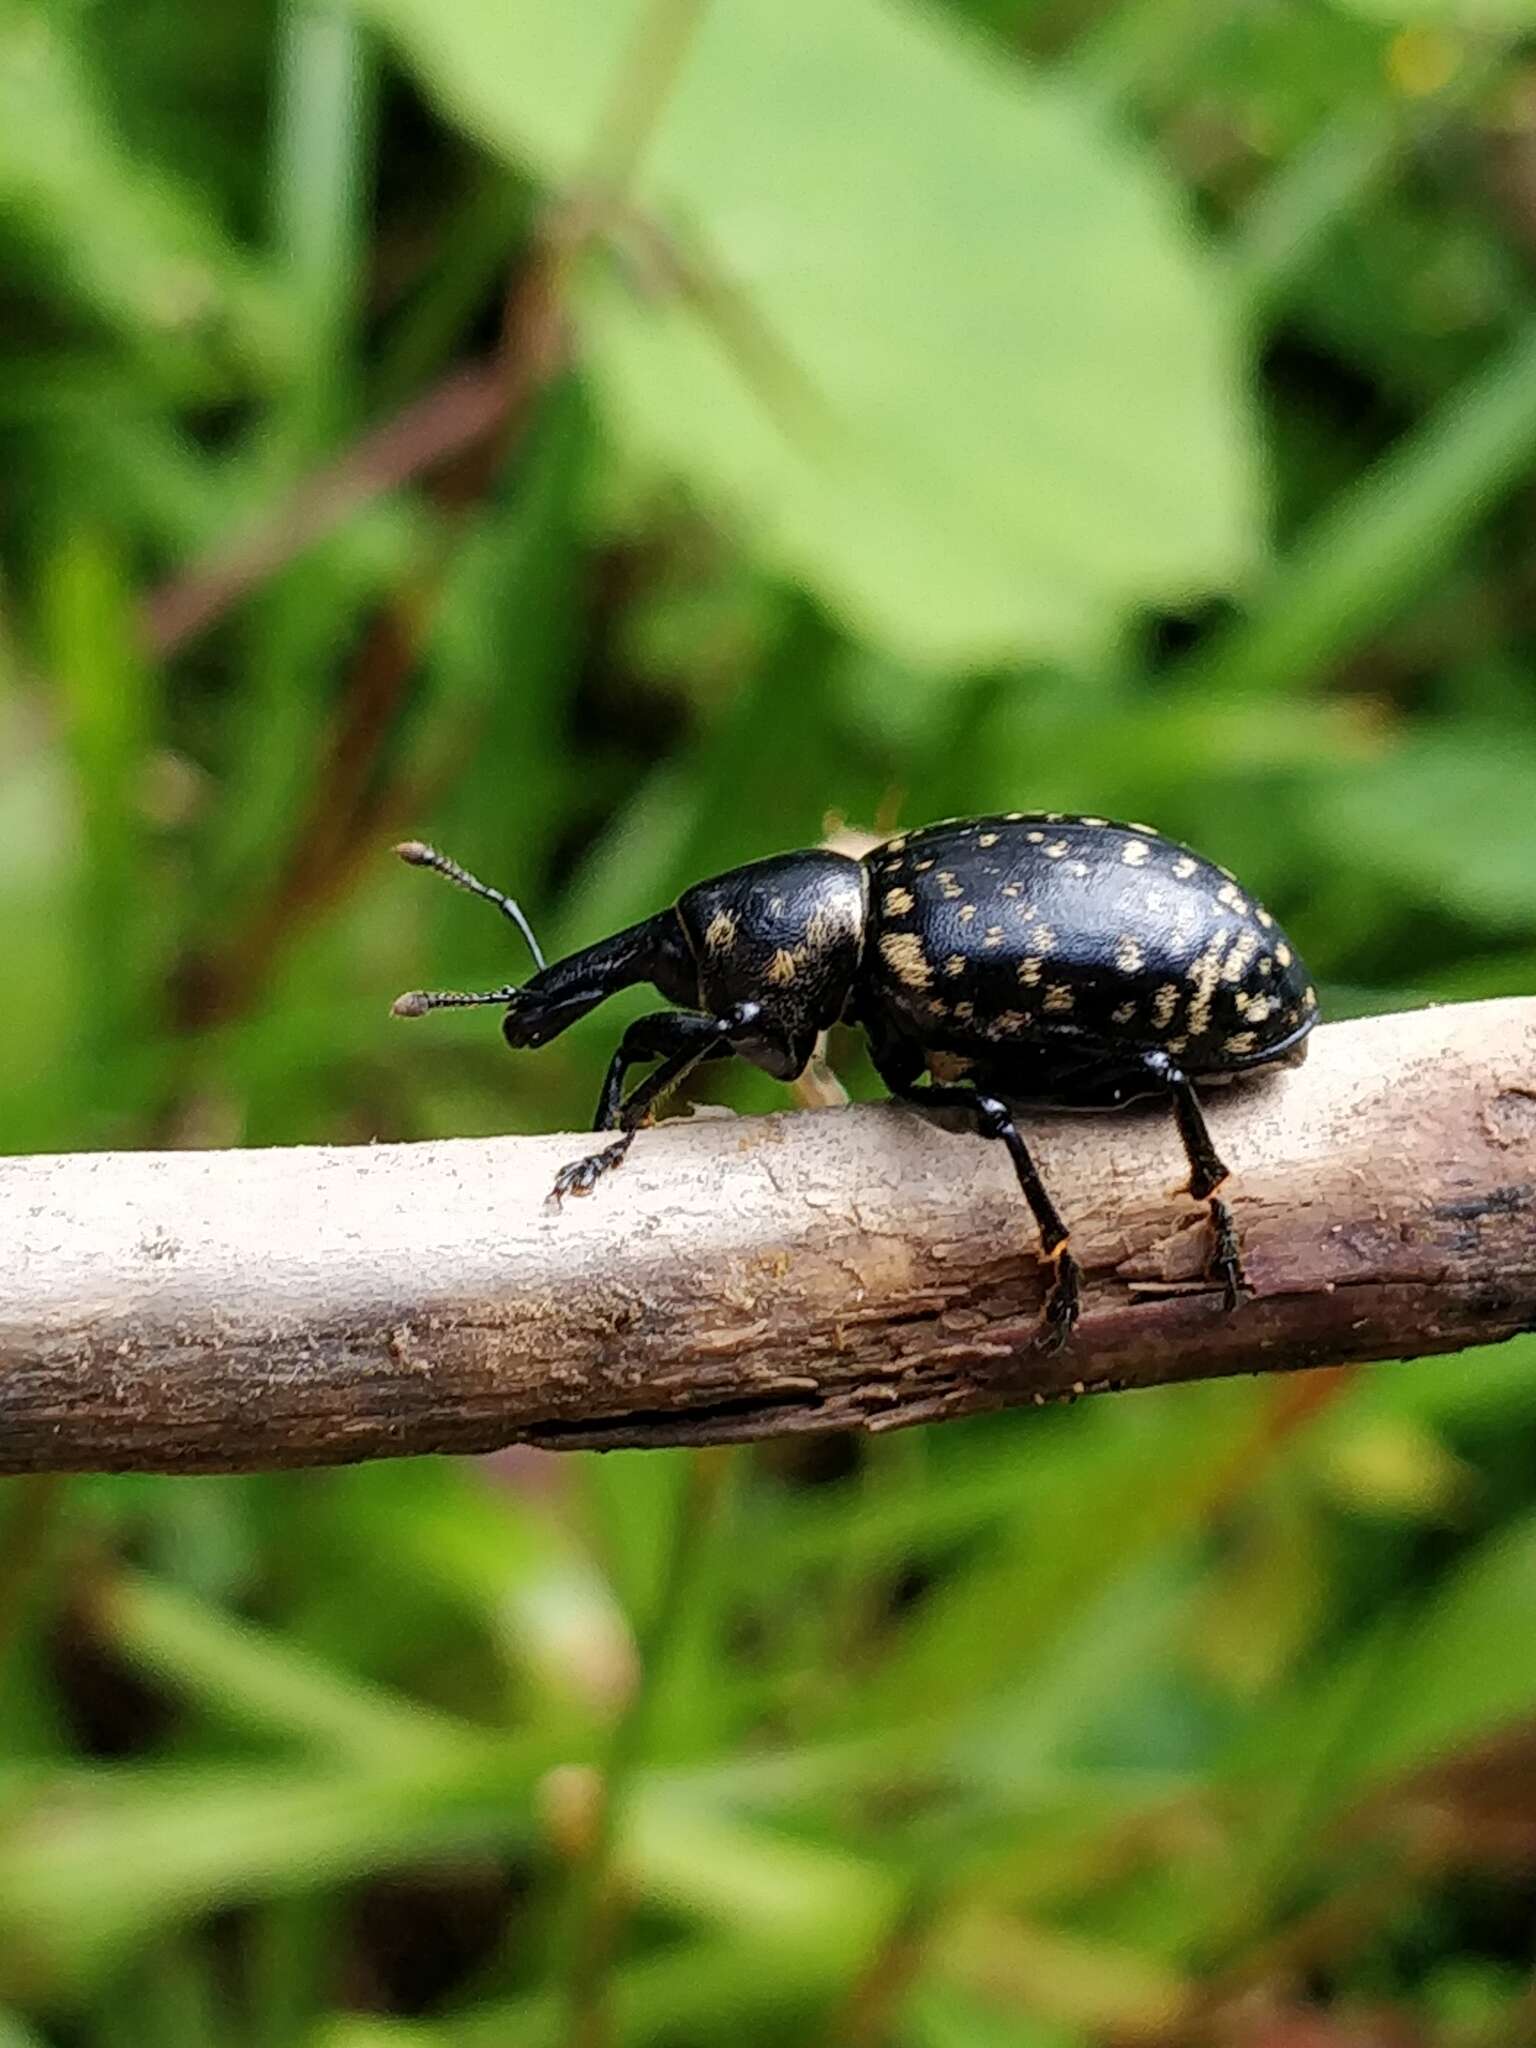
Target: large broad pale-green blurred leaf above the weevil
<point x="941" y="347"/>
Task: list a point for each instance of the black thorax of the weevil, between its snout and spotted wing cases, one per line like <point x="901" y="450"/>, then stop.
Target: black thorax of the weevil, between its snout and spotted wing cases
<point x="783" y="935"/>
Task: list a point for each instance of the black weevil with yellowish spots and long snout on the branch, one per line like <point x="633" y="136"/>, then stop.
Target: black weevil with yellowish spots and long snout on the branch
<point x="1029" y="957"/>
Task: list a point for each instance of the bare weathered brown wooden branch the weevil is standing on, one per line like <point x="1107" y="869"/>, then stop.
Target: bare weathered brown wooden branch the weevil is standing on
<point x="755" y="1277"/>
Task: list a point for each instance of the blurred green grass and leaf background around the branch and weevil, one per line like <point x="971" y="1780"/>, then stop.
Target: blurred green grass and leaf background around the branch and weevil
<point x="613" y="441"/>
